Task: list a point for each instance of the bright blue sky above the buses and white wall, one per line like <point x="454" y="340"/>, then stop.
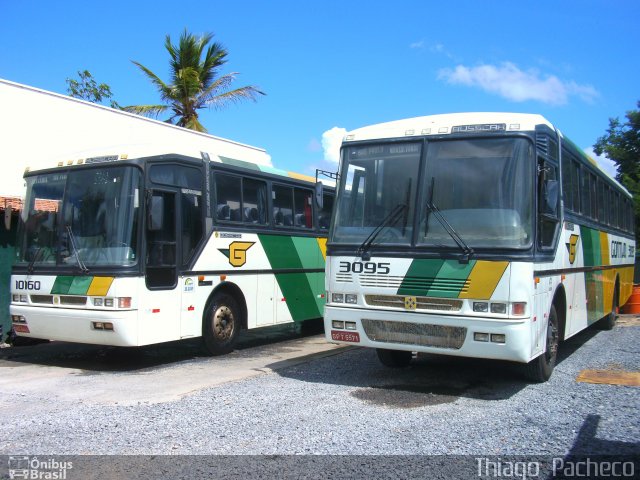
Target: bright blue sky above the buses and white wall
<point x="332" y="66"/>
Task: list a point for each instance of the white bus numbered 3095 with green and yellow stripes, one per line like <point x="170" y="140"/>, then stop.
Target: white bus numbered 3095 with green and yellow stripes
<point x="485" y="235"/>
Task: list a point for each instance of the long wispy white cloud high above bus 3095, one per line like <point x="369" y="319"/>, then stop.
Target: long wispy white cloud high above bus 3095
<point x="508" y="81"/>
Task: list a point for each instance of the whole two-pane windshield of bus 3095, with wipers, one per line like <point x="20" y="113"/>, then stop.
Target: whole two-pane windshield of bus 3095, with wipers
<point x="482" y="189"/>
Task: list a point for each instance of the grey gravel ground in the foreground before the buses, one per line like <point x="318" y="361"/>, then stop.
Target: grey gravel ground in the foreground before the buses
<point x="349" y="404"/>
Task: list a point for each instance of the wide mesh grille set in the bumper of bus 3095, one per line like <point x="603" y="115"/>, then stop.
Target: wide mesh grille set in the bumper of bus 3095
<point x="414" y="333"/>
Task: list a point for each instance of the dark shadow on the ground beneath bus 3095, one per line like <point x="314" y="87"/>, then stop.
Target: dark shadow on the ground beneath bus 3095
<point x="429" y="379"/>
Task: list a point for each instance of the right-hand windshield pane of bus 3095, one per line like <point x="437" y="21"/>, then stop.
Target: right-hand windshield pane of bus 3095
<point x="483" y="189"/>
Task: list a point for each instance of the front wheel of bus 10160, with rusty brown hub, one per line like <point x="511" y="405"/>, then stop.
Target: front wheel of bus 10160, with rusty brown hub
<point x="221" y="324"/>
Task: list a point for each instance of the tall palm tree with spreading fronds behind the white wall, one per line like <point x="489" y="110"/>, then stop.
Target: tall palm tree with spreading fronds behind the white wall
<point x="195" y="82"/>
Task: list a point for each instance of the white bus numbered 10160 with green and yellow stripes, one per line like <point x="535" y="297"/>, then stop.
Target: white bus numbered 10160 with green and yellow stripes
<point x="132" y="250"/>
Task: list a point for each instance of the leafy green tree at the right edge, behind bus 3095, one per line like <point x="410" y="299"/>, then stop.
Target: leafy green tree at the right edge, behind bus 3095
<point x="621" y="144"/>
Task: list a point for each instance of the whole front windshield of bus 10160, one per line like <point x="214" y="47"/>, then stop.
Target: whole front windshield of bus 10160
<point x="80" y="218"/>
